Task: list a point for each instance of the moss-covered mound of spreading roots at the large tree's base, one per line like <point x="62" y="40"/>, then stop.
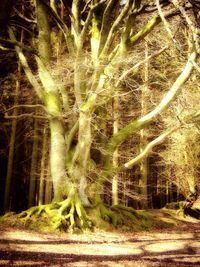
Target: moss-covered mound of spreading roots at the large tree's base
<point x="69" y="215"/>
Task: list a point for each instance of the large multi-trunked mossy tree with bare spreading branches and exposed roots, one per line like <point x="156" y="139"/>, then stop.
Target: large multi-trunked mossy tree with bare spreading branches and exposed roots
<point x="95" y="41"/>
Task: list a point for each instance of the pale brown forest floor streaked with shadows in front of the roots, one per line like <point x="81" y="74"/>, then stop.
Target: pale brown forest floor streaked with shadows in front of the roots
<point x="178" y="245"/>
